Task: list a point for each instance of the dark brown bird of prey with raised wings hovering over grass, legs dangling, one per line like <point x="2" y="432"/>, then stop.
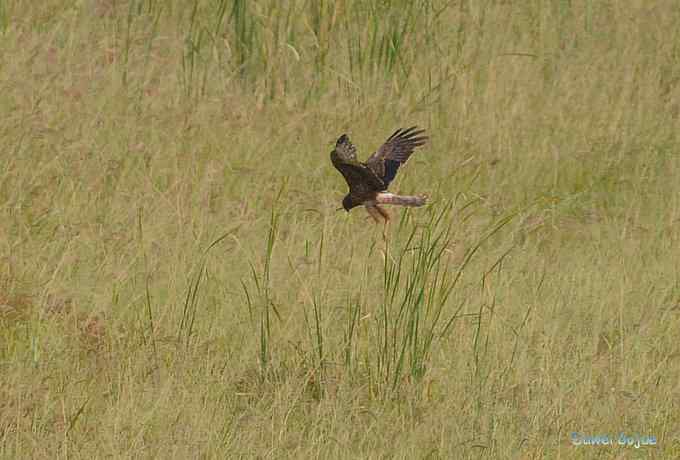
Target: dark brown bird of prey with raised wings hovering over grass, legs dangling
<point x="368" y="181"/>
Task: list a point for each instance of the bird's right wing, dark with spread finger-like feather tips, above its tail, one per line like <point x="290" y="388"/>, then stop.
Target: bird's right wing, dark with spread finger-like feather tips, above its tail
<point x="394" y="152"/>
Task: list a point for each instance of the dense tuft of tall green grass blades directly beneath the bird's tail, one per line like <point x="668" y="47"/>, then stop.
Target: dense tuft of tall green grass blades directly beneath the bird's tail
<point x="415" y="307"/>
